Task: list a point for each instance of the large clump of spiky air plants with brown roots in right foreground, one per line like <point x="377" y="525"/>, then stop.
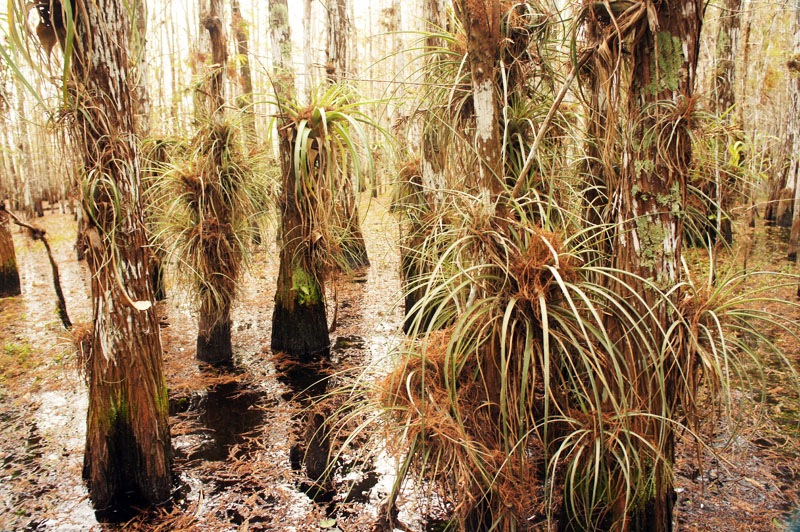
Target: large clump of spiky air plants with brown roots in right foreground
<point x="522" y="403"/>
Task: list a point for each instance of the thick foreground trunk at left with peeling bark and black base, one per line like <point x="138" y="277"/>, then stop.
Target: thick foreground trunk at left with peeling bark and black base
<point x="128" y="453"/>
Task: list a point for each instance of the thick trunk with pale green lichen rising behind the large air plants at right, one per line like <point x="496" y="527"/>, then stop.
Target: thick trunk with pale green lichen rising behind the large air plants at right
<point x="651" y="197"/>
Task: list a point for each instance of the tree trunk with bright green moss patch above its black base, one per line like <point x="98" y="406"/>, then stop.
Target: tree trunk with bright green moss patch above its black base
<point x="299" y="321"/>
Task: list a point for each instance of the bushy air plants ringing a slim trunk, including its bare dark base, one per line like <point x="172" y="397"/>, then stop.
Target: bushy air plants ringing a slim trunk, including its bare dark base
<point x="210" y="202"/>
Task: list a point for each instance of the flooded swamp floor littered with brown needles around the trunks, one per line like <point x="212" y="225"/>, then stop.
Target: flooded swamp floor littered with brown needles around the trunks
<point x="240" y="436"/>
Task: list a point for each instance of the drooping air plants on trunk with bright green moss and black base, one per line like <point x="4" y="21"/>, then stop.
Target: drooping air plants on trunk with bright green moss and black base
<point x="320" y="144"/>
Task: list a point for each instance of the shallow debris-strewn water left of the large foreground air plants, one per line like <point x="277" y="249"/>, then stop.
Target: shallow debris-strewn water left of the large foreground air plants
<point x="233" y="431"/>
